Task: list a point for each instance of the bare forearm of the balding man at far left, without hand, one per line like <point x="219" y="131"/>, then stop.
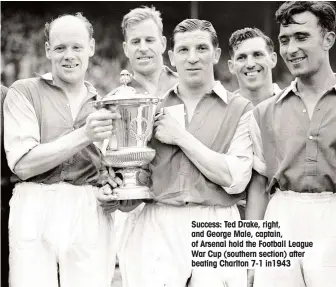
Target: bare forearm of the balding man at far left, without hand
<point x="46" y="156"/>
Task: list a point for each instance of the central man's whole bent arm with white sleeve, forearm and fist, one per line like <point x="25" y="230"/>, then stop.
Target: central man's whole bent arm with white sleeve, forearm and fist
<point x="231" y="170"/>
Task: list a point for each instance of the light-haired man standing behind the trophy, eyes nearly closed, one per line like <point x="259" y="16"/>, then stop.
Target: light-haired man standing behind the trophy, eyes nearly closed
<point x="144" y="45"/>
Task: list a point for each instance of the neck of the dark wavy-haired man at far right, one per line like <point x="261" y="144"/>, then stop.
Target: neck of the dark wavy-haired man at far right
<point x="317" y="83"/>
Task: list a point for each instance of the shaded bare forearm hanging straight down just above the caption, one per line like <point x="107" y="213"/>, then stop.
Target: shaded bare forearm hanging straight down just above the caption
<point x="257" y="198"/>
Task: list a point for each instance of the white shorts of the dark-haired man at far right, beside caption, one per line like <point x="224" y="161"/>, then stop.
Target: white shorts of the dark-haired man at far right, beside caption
<point x="304" y="217"/>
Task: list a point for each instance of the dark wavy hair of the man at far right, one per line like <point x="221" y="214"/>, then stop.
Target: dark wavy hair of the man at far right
<point x="323" y="10"/>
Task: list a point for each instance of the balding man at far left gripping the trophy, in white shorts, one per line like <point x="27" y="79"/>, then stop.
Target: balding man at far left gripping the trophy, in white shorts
<point x="56" y="228"/>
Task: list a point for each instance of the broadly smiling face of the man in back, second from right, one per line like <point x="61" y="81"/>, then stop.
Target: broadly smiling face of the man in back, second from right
<point x="252" y="63"/>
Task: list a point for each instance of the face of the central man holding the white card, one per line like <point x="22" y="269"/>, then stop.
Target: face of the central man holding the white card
<point x="194" y="57"/>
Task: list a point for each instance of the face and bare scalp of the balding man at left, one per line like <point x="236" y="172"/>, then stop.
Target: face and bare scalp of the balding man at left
<point x="69" y="50"/>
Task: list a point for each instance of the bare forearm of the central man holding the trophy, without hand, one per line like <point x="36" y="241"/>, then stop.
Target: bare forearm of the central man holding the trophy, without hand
<point x="210" y="163"/>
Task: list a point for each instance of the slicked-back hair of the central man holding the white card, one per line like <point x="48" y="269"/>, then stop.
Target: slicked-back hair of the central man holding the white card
<point x="189" y="25"/>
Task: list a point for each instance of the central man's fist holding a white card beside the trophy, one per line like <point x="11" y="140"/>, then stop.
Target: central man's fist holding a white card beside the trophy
<point x="166" y="129"/>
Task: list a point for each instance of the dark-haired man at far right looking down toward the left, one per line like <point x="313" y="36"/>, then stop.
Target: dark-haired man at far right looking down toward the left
<point x="294" y="139"/>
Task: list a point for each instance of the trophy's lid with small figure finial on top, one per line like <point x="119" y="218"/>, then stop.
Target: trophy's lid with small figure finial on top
<point x="125" y="93"/>
